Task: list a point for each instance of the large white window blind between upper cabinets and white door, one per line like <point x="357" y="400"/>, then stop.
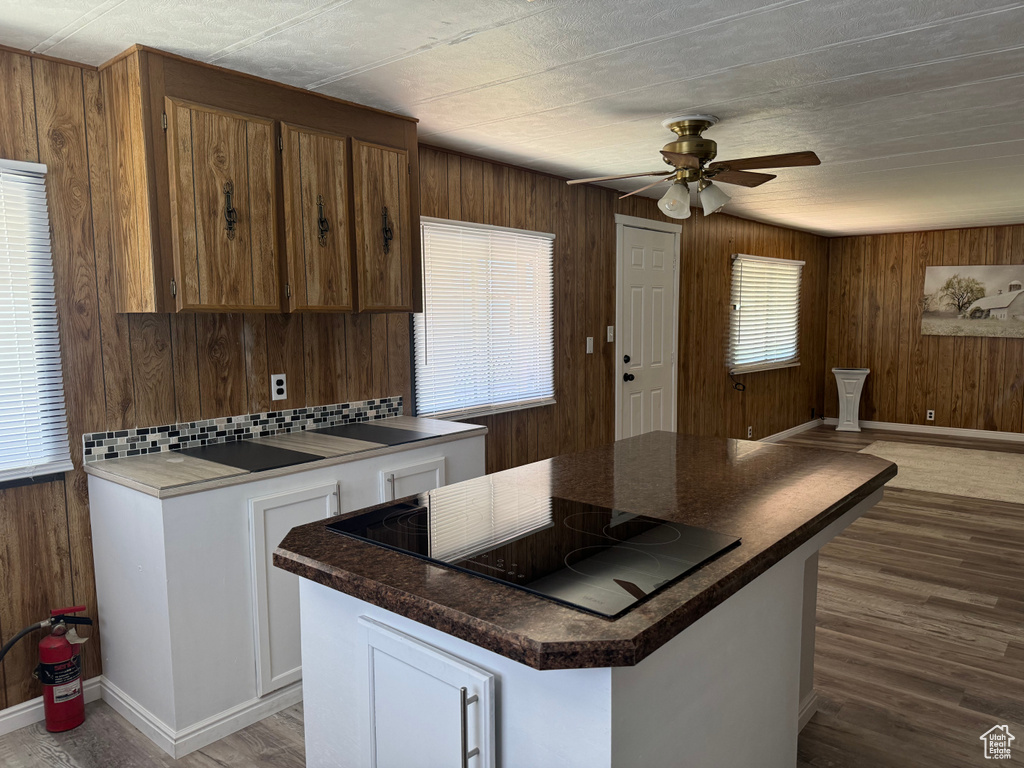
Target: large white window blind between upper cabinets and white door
<point x="485" y="343"/>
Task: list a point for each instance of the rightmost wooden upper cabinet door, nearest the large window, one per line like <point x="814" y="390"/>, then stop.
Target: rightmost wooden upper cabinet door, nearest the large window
<point x="383" y="251"/>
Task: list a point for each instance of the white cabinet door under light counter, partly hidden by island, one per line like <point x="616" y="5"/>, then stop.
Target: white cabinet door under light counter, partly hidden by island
<point x="276" y="592"/>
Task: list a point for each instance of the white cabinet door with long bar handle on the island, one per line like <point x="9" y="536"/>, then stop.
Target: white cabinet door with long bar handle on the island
<point x="426" y="708"/>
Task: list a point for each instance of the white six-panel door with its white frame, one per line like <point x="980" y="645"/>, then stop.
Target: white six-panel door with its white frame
<point x="648" y="323"/>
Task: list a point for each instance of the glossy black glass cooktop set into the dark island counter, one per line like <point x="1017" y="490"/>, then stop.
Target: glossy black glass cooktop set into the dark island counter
<point x="592" y="559"/>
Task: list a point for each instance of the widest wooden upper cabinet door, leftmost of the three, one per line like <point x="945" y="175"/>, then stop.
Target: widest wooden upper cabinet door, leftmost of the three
<point x="224" y="211"/>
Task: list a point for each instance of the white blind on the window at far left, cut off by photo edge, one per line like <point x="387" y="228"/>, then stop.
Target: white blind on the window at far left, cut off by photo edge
<point x="33" y="426"/>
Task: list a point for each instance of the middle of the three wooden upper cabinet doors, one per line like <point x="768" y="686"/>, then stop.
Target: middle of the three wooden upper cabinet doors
<point x="317" y="221"/>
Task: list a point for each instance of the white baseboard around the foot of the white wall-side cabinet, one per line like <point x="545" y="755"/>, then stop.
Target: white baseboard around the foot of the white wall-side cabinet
<point x="180" y="744"/>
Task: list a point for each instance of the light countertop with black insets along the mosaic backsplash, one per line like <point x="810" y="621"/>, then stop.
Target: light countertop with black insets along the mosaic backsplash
<point x="169" y="475"/>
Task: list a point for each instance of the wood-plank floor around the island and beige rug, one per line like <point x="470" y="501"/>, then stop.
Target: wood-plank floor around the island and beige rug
<point x="920" y="647"/>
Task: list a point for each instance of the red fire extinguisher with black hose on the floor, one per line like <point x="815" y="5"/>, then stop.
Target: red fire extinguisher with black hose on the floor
<point x="60" y="668"/>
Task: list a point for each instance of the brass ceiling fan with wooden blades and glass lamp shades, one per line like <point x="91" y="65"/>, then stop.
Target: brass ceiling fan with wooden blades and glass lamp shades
<point x="691" y="156"/>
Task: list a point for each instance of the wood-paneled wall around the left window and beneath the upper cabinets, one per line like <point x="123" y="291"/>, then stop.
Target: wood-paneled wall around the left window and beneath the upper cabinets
<point x="139" y="370"/>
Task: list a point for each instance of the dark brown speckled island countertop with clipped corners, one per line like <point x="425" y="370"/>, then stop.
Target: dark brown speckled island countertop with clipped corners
<point x="775" y="497"/>
